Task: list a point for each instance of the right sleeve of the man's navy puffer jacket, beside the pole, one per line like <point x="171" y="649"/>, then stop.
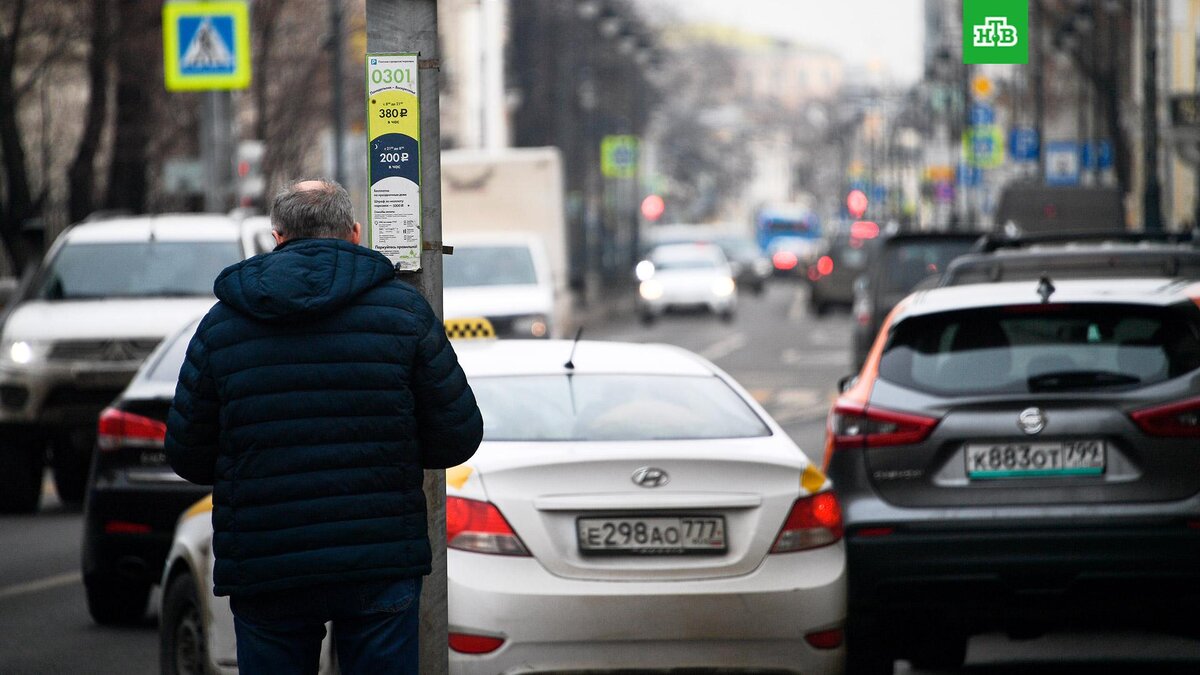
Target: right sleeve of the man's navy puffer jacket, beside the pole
<point x="448" y="420"/>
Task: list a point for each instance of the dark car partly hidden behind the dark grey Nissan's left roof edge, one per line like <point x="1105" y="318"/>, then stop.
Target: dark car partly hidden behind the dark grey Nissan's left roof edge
<point x="898" y="264"/>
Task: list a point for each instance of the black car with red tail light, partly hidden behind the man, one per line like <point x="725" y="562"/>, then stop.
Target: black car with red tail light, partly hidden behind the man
<point x="134" y="498"/>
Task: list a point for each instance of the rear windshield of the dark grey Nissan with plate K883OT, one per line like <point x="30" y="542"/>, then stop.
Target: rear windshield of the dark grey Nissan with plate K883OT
<point x="1069" y="348"/>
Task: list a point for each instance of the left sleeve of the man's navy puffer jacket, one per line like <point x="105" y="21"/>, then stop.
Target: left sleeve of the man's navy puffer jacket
<point x="194" y="421"/>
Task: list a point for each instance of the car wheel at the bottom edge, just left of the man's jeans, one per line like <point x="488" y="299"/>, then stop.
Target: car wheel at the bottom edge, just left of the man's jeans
<point x="183" y="647"/>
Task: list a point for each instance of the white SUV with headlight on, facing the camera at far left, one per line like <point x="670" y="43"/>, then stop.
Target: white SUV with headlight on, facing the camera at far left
<point x="79" y="328"/>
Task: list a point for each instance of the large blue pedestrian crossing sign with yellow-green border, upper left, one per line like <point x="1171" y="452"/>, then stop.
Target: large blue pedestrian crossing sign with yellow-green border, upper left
<point x="206" y="45"/>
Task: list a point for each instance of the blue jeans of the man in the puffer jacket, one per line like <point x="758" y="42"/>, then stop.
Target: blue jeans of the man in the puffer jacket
<point x="375" y="629"/>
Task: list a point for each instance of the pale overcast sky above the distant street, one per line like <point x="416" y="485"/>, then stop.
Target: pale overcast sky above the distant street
<point x="866" y="33"/>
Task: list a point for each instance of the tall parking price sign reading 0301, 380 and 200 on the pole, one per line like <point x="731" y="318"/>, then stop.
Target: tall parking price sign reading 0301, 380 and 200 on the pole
<point x="394" y="168"/>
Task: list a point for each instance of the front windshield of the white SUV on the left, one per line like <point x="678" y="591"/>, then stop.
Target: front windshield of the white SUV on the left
<point x="136" y="270"/>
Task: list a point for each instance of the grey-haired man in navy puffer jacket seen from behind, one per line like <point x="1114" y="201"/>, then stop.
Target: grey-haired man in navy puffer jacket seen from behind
<point x="314" y="395"/>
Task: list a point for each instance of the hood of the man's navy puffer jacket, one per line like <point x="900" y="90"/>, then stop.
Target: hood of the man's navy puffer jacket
<point x="303" y="278"/>
